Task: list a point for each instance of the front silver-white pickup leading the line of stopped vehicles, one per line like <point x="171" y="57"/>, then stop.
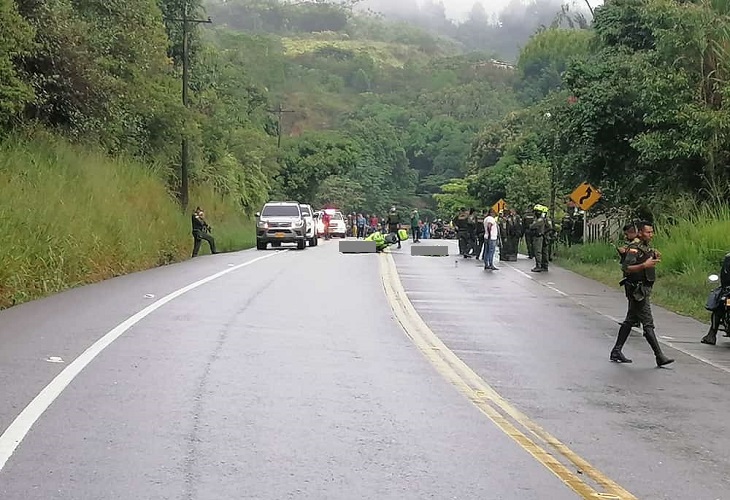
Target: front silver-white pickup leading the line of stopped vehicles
<point x="281" y="222"/>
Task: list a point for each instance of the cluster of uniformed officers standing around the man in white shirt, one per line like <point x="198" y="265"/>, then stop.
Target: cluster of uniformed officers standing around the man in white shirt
<point x="536" y="227"/>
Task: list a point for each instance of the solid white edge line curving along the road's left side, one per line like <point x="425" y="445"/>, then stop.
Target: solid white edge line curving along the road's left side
<point x="16" y="431"/>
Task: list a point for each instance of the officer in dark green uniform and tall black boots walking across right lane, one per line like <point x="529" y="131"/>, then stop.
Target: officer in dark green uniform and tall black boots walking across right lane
<point x="639" y="276"/>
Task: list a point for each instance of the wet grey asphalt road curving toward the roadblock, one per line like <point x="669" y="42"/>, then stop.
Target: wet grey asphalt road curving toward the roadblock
<point x="288" y="377"/>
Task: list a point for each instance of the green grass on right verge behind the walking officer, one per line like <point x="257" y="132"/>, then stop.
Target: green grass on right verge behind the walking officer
<point x="692" y="248"/>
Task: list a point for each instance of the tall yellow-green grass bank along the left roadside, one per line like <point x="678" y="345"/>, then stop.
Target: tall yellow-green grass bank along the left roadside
<point x="71" y="216"/>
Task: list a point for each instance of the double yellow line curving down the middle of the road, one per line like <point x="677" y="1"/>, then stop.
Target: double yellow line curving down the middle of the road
<point x="487" y="400"/>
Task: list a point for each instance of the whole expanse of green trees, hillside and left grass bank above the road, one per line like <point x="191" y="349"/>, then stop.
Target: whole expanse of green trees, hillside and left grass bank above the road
<point x="381" y="103"/>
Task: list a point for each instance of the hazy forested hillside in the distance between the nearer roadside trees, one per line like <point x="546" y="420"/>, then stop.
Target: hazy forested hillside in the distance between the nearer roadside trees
<point x="414" y="94"/>
